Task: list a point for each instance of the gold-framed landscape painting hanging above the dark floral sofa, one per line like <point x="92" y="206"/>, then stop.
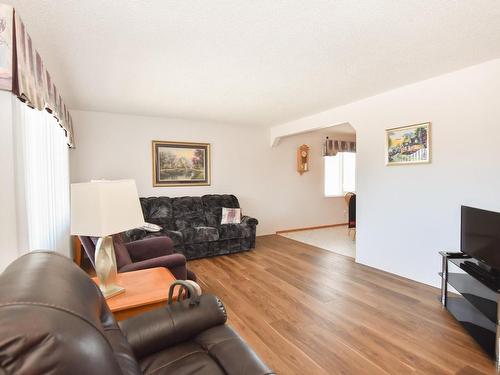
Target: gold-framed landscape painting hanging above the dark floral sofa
<point x="181" y="164"/>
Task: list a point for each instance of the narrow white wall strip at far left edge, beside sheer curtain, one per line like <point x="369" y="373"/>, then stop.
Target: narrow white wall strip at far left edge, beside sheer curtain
<point x="8" y="226"/>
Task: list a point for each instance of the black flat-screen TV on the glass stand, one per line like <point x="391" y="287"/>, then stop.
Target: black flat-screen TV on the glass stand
<point x="480" y="235"/>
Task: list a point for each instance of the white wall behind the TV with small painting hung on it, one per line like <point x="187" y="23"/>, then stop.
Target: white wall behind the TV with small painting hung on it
<point x="406" y="214"/>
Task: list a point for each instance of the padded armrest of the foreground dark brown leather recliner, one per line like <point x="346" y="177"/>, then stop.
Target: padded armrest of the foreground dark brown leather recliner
<point x="161" y="328"/>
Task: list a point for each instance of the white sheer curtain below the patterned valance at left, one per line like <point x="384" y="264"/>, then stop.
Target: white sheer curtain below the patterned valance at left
<point x="42" y="180"/>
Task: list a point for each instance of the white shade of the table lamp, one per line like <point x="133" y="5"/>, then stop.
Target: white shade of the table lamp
<point x="103" y="208"/>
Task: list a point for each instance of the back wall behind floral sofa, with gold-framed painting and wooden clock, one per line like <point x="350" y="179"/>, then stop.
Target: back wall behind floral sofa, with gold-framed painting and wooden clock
<point x="264" y="179"/>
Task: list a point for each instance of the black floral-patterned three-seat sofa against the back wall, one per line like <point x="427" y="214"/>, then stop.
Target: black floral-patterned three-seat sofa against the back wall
<point x="194" y="225"/>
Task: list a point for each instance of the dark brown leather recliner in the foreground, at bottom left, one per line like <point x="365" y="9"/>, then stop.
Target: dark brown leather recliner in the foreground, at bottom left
<point x="54" y="320"/>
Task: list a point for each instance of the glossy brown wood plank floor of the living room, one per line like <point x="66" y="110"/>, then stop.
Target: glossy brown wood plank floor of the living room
<point x="309" y="311"/>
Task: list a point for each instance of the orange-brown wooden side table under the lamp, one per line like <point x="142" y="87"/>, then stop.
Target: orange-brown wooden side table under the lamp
<point x="144" y="290"/>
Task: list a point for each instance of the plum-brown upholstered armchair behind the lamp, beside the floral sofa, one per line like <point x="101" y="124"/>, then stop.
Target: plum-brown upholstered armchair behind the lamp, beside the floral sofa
<point x="142" y="254"/>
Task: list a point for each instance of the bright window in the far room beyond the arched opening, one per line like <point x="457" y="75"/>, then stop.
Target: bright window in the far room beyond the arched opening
<point x="340" y="174"/>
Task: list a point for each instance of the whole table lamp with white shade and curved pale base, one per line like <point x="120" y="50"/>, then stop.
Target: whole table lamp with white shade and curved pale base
<point x="101" y="209"/>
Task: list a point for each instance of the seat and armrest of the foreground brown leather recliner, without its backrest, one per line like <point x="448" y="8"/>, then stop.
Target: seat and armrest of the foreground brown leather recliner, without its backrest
<point x="181" y="337"/>
